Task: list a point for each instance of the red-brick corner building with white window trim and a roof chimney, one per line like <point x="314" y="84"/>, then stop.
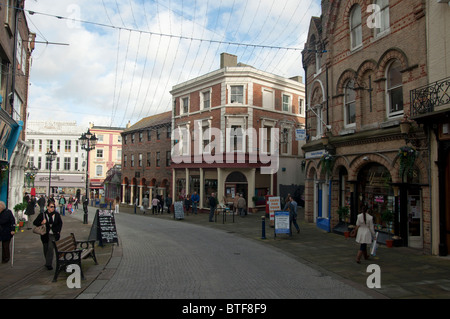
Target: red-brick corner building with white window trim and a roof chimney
<point x="234" y="133"/>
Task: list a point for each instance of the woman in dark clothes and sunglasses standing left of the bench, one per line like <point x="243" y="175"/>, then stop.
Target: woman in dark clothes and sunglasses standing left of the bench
<point x="53" y="222"/>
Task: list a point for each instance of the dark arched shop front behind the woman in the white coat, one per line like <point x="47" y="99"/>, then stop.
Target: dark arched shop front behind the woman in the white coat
<point x="397" y="208"/>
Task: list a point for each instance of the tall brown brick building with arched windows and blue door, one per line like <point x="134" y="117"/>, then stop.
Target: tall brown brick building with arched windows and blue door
<point x="360" y="68"/>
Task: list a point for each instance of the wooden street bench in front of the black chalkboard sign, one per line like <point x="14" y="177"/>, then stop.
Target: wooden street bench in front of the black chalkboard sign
<point x="69" y="251"/>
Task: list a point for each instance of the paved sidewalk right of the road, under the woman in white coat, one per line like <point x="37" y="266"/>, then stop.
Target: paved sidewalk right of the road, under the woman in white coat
<point x="405" y="272"/>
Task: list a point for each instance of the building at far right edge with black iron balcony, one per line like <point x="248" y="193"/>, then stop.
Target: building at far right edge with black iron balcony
<point x="430" y="107"/>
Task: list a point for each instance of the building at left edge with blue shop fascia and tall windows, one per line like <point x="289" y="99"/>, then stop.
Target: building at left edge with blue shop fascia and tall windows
<point x="16" y="47"/>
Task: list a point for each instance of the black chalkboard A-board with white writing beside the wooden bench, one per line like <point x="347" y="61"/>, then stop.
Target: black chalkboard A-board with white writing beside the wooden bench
<point x="104" y="227"/>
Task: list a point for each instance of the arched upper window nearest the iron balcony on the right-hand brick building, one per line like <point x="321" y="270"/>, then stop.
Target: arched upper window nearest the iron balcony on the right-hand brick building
<point x="394" y="89"/>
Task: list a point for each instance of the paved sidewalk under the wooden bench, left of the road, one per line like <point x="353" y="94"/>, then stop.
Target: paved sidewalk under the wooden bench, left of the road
<point x="27" y="278"/>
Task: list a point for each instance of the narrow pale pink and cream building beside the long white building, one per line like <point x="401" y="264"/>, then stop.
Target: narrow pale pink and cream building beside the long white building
<point x="107" y="153"/>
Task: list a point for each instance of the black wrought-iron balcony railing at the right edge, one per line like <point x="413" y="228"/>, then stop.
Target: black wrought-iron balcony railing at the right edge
<point x="426" y="98"/>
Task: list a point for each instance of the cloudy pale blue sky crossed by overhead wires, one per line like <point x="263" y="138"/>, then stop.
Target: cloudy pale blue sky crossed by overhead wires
<point x="114" y="61"/>
